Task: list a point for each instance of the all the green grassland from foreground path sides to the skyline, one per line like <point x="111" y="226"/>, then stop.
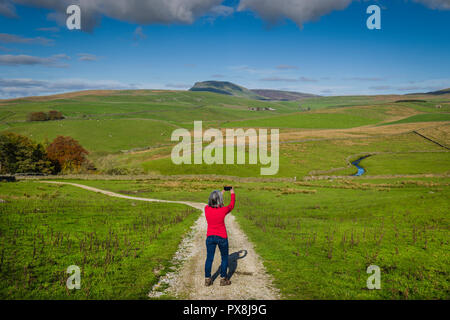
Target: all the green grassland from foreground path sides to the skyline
<point x="315" y="226"/>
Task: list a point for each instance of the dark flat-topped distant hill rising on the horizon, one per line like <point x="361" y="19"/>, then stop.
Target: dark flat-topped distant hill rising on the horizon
<point x="231" y="89"/>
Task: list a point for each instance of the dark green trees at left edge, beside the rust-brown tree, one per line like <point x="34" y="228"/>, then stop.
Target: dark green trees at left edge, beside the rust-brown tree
<point x="19" y="154"/>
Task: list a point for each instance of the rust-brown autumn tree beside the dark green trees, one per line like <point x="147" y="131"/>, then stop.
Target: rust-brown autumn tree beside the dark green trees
<point x="68" y="153"/>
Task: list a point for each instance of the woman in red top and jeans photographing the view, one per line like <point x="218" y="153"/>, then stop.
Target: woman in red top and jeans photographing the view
<point x="215" y="214"/>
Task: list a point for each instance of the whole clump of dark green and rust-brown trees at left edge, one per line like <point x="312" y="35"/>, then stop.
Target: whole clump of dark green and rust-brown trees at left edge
<point x="19" y="154"/>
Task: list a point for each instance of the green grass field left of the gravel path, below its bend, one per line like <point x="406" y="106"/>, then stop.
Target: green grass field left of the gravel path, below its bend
<point x="118" y="244"/>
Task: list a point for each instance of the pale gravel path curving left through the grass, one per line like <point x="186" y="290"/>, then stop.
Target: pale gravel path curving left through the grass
<point x="249" y="278"/>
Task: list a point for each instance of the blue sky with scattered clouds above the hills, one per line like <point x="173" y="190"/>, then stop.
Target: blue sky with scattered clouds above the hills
<point x="328" y="51"/>
